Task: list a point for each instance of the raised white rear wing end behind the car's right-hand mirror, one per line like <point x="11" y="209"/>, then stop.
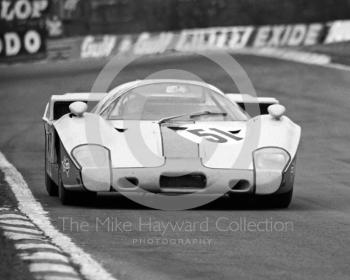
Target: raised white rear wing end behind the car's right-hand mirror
<point x="244" y="100"/>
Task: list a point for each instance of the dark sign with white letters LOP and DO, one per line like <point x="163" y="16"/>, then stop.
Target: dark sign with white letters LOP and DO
<point x="22" y="29"/>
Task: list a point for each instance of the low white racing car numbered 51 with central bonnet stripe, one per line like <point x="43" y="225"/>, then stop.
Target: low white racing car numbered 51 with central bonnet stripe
<point x="169" y="137"/>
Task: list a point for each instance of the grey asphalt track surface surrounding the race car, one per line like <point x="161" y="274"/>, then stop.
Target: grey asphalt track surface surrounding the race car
<point x="318" y="245"/>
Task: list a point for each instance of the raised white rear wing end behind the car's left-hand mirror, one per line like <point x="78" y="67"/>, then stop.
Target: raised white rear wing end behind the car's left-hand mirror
<point x="59" y="104"/>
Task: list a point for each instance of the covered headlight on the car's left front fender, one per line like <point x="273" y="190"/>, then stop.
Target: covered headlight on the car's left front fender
<point x="91" y="155"/>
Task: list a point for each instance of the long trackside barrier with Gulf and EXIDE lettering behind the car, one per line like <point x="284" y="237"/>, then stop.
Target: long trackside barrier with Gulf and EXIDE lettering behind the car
<point x="234" y="38"/>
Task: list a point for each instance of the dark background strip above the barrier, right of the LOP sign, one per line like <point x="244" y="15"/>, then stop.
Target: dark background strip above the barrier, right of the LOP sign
<point x="133" y="16"/>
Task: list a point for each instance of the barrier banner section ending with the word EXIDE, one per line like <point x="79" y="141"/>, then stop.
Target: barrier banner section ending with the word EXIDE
<point x="230" y="38"/>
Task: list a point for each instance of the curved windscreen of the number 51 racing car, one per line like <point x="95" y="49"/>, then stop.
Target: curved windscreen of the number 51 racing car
<point x="162" y="100"/>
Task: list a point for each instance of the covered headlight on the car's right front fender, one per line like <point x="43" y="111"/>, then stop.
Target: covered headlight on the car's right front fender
<point x="271" y="158"/>
